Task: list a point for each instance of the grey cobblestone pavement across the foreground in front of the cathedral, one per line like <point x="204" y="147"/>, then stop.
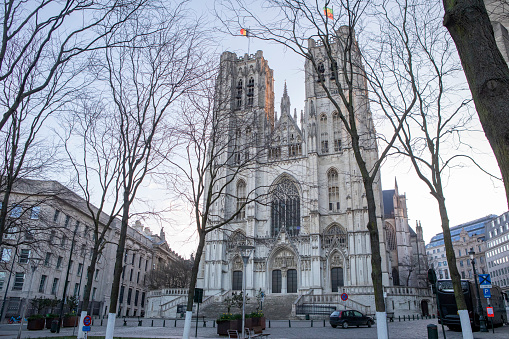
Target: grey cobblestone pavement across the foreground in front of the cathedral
<point x="278" y="330"/>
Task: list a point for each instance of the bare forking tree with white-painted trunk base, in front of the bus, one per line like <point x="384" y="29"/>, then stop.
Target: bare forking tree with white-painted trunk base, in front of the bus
<point x="432" y="135"/>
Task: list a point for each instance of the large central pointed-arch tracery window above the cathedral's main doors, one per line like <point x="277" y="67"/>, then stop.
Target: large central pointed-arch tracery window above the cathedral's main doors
<point x="285" y="208"/>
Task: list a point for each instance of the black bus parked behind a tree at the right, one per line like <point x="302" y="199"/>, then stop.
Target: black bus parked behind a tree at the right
<point x="448" y="312"/>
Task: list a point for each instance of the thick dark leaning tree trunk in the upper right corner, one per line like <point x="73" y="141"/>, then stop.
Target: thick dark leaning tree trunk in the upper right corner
<point x="486" y="71"/>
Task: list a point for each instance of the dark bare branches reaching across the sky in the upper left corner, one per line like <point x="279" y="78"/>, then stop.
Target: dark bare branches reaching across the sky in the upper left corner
<point x="39" y="39"/>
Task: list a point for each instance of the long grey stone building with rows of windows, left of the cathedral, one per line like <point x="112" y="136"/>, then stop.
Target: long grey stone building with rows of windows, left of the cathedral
<point x="45" y="218"/>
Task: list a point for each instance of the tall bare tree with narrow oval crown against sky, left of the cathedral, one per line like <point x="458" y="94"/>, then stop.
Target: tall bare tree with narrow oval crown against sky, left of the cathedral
<point x="145" y="76"/>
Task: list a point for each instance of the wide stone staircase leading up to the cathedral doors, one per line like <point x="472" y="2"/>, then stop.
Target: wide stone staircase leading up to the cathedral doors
<point x="274" y="307"/>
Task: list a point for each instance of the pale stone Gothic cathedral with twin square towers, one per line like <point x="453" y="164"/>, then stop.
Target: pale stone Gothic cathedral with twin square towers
<point x="308" y="227"/>
